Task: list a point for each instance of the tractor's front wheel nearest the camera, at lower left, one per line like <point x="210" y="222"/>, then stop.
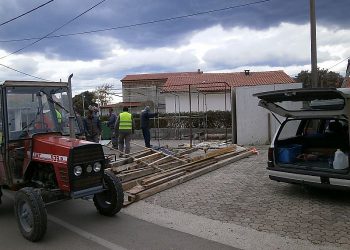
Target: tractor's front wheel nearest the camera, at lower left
<point x="30" y="214"/>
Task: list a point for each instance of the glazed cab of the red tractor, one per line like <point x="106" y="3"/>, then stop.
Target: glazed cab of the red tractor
<point x="29" y="110"/>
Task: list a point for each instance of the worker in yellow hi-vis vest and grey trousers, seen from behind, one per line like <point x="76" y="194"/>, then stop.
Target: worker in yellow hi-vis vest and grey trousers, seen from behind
<point x="125" y="127"/>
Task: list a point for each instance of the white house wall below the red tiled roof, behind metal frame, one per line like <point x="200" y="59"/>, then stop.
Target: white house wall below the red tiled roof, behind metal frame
<point x="199" y="102"/>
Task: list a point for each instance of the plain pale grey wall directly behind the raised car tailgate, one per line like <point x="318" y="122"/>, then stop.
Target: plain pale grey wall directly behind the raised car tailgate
<point x="252" y="120"/>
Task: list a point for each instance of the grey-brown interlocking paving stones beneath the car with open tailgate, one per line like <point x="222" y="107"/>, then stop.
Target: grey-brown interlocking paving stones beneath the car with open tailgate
<point x="242" y="193"/>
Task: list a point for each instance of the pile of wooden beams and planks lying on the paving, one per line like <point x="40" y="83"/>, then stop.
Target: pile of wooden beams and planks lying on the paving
<point x="147" y="172"/>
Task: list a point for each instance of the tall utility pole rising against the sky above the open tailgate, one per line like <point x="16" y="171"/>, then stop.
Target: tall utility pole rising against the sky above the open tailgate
<point x="314" y="74"/>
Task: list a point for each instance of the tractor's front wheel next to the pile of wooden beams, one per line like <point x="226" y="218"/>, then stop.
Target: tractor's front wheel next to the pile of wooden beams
<point x="111" y="200"/>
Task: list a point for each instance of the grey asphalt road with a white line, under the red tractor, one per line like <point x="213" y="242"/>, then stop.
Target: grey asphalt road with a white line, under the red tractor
<point x="76" y="225"/>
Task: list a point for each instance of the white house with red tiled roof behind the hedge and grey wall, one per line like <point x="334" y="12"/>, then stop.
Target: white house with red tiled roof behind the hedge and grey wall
<point x="212" y="91"/>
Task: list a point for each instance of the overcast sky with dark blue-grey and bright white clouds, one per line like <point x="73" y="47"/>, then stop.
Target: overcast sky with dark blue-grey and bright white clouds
<point x="248" y="34"/>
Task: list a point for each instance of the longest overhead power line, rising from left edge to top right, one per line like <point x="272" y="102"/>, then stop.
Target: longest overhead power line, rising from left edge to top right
<point x="143" y="23"/>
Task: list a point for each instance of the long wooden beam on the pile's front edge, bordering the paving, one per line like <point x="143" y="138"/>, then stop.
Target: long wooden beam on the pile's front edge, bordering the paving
<point x="179" y="180"/>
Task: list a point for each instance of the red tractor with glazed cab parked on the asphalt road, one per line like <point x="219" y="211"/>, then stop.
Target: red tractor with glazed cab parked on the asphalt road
<point x="41" y="158"/>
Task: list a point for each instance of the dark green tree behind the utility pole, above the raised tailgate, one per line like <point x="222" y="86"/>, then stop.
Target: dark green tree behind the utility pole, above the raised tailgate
<point x="325" y="77"/>
